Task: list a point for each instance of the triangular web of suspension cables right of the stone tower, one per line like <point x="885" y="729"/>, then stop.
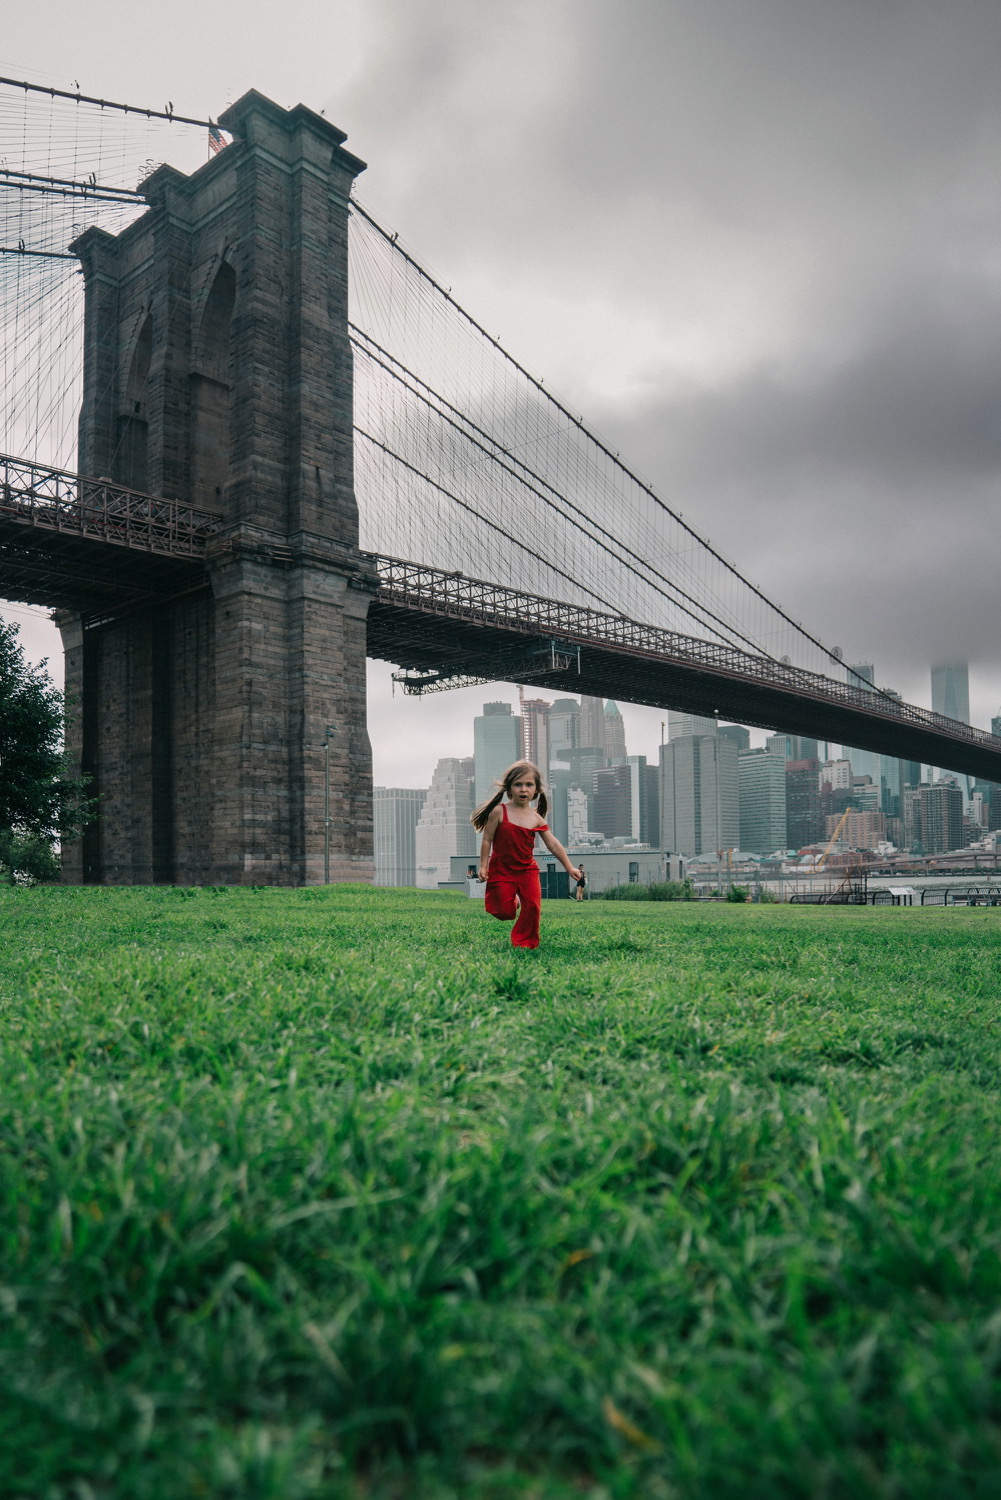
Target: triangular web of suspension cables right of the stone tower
<point x="466" y="463"/>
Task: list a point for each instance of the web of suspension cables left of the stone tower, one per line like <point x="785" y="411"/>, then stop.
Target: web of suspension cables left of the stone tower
<point x="65" y="164"/>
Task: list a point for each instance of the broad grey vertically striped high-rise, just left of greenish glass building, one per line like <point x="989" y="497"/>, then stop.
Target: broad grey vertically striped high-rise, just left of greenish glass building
<point x="699" y="796"/>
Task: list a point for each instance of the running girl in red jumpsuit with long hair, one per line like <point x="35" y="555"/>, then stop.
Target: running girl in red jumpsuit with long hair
<point x="508" y="851"/>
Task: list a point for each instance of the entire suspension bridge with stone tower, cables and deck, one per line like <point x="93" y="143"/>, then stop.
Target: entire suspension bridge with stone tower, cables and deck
<point x="257" y="442"/>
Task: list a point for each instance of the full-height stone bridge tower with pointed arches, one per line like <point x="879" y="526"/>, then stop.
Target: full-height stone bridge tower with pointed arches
<point x="218" y="371"/>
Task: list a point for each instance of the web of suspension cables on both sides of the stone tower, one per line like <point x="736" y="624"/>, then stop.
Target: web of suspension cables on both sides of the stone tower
<point x="464" y="461"/>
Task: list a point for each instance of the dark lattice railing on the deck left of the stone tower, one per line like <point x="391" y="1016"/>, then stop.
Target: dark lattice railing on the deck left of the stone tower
<point x="101" y="511"/>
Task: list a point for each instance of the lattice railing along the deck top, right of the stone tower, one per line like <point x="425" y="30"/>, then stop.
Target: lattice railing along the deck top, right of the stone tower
<point x="493" y="604"/>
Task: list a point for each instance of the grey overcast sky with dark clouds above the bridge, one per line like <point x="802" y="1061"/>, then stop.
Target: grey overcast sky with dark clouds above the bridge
<point x="756" y="242"/>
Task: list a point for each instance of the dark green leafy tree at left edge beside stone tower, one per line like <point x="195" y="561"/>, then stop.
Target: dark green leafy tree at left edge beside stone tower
<point x="40" y="803"/>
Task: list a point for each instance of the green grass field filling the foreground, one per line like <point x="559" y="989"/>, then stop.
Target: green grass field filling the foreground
<point x="332" y="1195"/>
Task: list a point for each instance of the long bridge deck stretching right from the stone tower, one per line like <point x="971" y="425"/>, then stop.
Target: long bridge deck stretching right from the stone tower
<point x="424" y="619"/>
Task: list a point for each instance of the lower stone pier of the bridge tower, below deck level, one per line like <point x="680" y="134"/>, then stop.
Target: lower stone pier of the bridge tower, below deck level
<point x="202" y="728"/>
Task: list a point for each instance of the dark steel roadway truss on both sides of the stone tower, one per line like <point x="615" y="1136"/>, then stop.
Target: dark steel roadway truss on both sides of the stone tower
<point x="62" y="539"/>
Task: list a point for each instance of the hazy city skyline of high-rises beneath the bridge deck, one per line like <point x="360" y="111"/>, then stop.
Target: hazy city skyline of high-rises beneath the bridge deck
<point x="709" y="794"/>
